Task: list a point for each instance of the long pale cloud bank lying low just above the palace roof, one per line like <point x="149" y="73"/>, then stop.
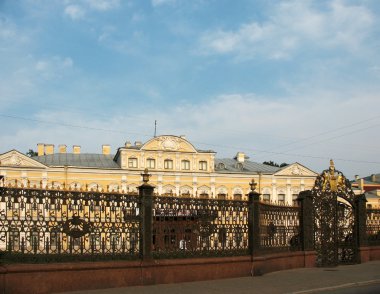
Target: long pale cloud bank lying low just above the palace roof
<point x="322" y="125"/>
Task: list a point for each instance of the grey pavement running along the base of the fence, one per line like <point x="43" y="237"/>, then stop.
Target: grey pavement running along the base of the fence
<point x="359" y="278"/>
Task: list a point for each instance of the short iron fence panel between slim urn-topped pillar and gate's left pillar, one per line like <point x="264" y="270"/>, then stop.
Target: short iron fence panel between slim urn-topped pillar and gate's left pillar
<point x="279" y="227"/>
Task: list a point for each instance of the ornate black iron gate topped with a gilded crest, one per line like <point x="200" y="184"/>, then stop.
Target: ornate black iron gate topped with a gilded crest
<point x="335" y="235"/>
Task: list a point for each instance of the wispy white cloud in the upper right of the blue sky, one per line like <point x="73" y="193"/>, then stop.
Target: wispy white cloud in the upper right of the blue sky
<point x="292" y="26"/>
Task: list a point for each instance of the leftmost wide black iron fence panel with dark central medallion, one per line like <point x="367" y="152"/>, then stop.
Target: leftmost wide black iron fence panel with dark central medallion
<point x="55" y="225"/>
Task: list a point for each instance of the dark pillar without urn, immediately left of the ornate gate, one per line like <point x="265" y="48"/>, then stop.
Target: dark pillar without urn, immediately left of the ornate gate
<point x="306" y="220"/>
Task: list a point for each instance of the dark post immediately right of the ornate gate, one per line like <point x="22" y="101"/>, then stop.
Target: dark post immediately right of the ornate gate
<point x="360" y="226"/>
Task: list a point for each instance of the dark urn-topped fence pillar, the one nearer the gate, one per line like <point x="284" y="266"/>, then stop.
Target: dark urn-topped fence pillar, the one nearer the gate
<point x="253" y="220"/>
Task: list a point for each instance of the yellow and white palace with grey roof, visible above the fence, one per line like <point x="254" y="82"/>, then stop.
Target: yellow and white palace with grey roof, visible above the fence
<point x="176" y="166"/>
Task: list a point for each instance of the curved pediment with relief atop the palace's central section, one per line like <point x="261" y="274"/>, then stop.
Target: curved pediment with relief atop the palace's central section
<point x="169" y="143"/>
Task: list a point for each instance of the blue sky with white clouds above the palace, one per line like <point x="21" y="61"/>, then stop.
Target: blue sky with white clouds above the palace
<point x="287" y="81"/>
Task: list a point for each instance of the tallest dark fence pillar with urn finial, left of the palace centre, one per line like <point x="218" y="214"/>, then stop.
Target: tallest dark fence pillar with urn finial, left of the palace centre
<point x="146" y="198"/>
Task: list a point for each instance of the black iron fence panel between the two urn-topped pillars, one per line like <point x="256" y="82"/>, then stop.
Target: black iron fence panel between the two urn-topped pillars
<point x="187" y="227"/>
